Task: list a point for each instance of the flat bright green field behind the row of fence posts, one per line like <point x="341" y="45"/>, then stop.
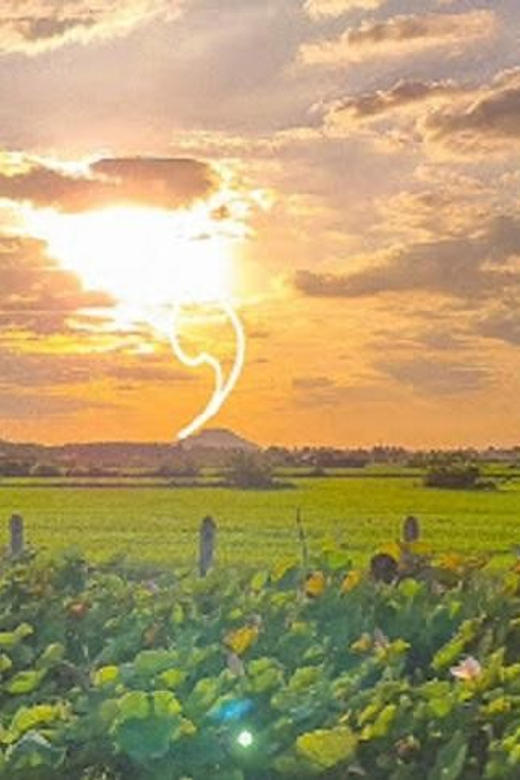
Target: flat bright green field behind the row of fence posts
<point x="156" y="523"/>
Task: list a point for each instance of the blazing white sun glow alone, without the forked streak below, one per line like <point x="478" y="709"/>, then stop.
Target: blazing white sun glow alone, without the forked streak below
<point x="142" y="257"/>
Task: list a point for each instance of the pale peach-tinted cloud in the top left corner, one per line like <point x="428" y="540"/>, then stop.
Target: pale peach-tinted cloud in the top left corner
<point x="34" y="26"/>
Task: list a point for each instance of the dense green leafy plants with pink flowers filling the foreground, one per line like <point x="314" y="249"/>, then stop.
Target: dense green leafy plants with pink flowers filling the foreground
<point x="328" y="672"/>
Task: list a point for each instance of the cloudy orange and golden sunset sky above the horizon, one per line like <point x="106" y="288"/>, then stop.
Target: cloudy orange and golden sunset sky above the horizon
<point x="342" y="173"/>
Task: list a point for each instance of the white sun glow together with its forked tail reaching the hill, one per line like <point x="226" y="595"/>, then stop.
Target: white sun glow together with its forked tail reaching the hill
<point x="153" y="262"/>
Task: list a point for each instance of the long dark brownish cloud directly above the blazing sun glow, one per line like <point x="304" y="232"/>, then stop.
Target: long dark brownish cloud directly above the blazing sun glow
<point x="145" y="181"/>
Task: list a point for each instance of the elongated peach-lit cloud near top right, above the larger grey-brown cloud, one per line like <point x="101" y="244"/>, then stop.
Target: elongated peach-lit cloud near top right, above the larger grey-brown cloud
<point x="400" y="36"/>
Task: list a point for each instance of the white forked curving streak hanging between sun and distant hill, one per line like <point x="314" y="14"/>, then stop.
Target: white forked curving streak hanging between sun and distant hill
<point x="223" y="386"/>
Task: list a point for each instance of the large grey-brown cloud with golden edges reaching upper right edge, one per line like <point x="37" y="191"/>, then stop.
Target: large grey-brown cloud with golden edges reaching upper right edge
<point x="447" y="118"/>
